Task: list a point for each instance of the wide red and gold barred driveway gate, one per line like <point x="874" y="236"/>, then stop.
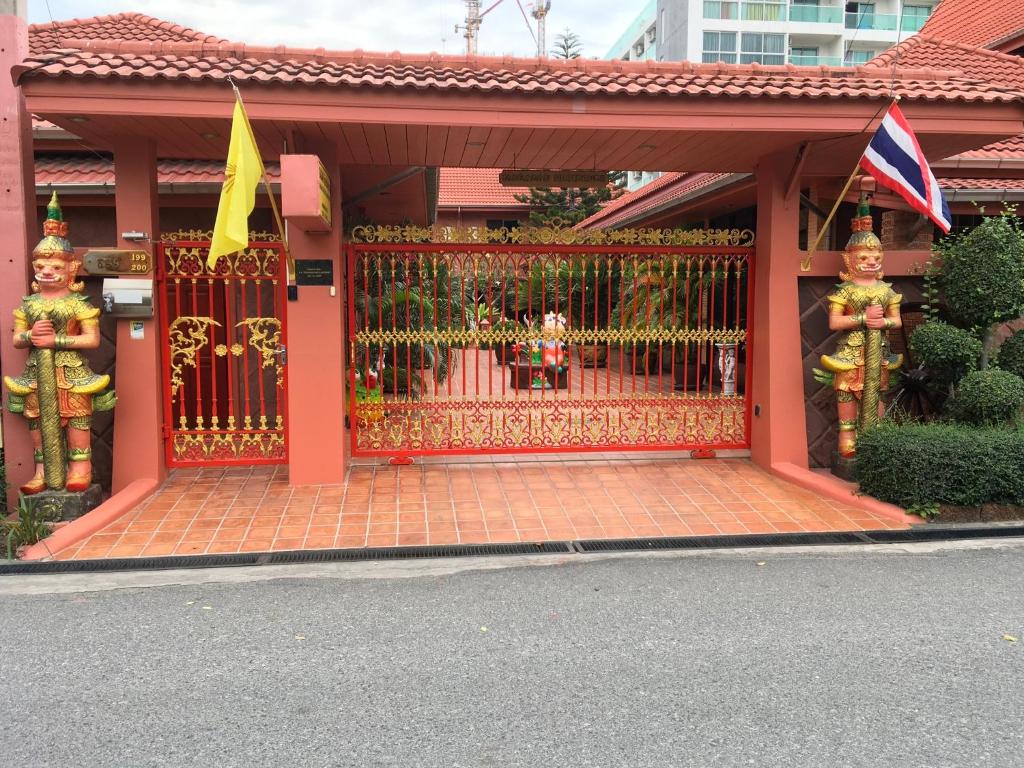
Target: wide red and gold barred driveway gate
<point x="542" y="340"/>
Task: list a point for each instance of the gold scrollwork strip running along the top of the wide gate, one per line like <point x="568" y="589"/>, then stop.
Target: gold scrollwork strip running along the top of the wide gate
<point x="551" y="236"/>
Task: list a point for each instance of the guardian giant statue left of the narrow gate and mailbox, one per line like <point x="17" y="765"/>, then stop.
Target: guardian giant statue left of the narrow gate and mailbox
<point x="58" y="393"/>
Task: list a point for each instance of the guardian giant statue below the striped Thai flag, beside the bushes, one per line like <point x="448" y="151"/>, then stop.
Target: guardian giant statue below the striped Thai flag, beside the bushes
<point x="864" y="309"/>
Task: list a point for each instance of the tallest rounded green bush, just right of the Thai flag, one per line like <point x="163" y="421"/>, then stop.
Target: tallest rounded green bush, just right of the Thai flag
<point x="983" y="274"/>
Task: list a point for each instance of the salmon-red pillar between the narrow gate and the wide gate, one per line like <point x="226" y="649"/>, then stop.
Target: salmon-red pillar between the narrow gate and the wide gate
<point x="317" y="352"/>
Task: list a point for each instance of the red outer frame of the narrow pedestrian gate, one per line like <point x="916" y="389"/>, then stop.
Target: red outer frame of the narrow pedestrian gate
<point x="161" y="279"/>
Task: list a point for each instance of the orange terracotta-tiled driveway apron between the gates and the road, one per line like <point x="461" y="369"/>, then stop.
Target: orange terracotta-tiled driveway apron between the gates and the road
<point x="254" y="510"/>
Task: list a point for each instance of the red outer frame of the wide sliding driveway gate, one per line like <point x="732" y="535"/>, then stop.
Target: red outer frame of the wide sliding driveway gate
<point x="382" y="245"/>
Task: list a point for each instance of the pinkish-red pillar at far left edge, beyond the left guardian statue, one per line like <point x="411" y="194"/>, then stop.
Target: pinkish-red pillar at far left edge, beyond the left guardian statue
<point x="18" y="228"/>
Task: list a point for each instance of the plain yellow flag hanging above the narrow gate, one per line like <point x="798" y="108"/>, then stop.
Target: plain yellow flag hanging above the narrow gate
<point x="238" y="197"/>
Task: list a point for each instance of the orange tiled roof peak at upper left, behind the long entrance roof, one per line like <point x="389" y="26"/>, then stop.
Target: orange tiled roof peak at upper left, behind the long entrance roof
<point x="73" y="33"/>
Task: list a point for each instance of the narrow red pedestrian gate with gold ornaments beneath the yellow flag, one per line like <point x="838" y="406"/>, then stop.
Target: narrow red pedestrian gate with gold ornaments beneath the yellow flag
<point x="225" y="372"/>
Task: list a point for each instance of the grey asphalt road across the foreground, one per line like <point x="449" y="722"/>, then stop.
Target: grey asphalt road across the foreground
<point x="842" y="658"/>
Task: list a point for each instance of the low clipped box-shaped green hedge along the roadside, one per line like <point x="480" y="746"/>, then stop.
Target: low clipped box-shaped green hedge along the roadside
<point x="918" y="465"/>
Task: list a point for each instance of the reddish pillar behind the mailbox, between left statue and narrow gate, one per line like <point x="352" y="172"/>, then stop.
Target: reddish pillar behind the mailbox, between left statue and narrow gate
<point x="139" y="450"/>
